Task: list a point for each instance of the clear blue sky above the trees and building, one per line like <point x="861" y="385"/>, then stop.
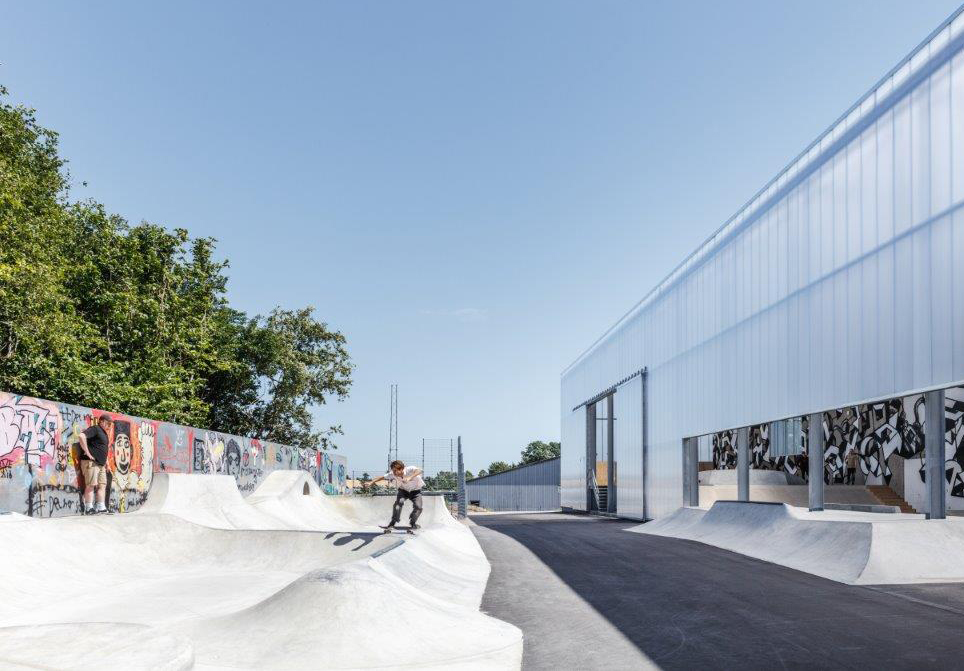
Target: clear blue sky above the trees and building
<point x="471" y="192"/>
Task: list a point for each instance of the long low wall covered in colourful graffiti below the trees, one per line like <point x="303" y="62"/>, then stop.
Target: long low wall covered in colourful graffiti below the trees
<point x="40" y="471"/>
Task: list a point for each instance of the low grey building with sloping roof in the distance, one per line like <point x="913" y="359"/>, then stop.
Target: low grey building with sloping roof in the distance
<point x="529" y="487"/>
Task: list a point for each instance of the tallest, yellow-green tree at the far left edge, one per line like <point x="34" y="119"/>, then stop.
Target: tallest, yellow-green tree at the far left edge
<point x="43" y="347"/>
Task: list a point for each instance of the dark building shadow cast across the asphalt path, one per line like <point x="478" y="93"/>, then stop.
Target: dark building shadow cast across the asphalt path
<point x="685" y="604"/>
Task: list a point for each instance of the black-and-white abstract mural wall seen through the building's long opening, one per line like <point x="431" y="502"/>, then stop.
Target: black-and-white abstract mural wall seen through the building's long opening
<point x="887" y="439"/>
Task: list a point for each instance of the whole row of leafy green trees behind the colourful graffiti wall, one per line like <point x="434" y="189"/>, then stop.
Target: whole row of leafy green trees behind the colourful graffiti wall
<point x="97" y="312"/>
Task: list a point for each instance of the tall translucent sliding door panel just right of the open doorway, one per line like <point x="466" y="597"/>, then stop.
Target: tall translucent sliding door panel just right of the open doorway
<point x="628" y="448"/>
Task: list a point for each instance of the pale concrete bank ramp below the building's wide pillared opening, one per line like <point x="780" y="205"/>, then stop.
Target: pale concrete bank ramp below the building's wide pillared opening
<point x="849" y="547"/>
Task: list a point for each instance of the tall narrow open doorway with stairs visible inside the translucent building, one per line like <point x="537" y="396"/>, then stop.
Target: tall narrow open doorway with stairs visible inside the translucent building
<point x="600" y="456"/>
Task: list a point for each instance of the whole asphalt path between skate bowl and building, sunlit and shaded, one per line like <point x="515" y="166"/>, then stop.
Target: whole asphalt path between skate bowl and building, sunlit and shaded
<point x="589" y="595"/>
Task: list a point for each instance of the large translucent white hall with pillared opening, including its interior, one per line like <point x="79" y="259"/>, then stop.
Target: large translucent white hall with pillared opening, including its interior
<point x="829" y="310"/>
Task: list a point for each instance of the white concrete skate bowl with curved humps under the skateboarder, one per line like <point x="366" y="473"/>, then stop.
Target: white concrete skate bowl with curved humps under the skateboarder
<point x="287" y="578"/>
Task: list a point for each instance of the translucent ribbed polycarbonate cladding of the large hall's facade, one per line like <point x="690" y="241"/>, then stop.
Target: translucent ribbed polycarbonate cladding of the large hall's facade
<point x="840" y="282"/>
